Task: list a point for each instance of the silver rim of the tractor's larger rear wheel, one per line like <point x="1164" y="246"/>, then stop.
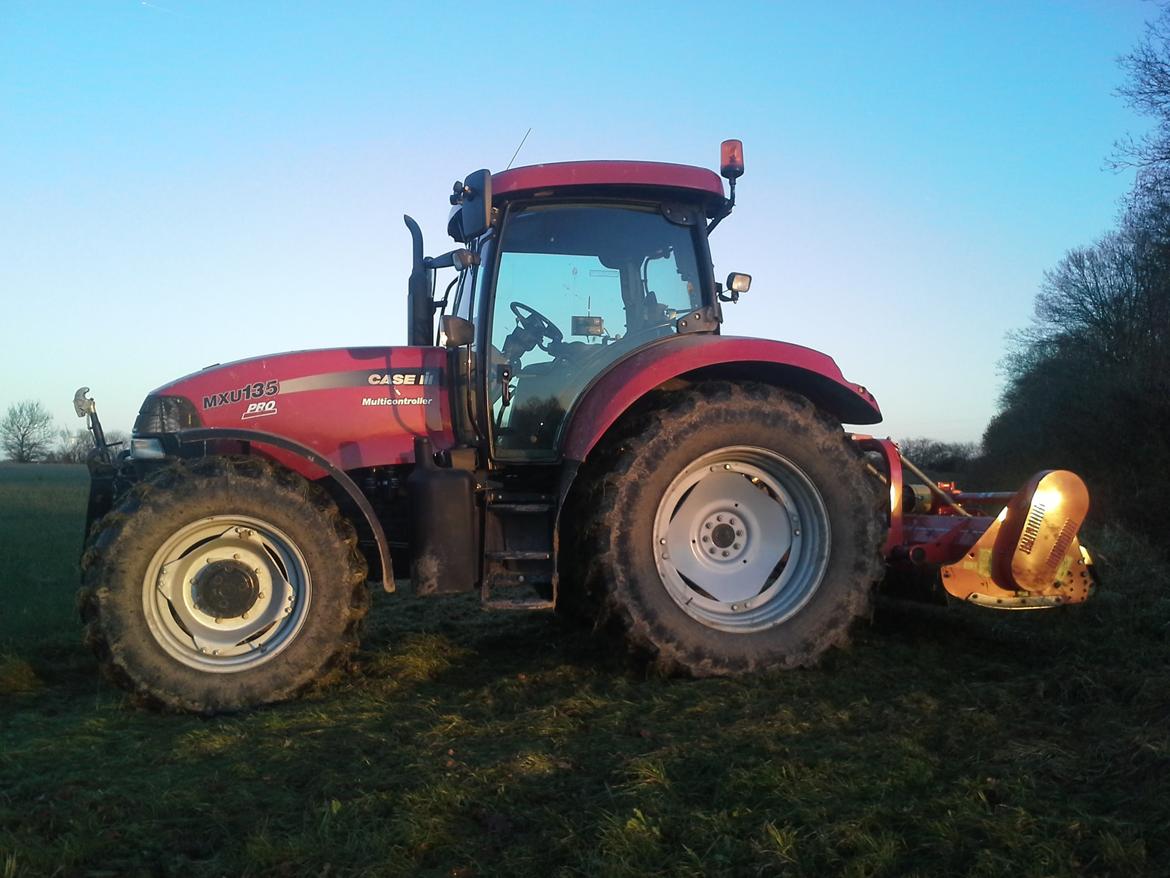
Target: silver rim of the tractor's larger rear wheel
<point x="742" y="539"/>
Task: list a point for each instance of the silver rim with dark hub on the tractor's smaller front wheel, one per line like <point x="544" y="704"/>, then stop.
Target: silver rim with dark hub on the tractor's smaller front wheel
<point x="226" y="594"/>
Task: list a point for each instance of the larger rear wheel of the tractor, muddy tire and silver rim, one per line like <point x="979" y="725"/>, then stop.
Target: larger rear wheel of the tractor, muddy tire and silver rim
<point x="737" y="531"/>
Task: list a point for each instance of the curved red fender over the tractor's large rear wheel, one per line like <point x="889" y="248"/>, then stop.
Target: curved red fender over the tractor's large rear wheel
<point x="691" y="358"/>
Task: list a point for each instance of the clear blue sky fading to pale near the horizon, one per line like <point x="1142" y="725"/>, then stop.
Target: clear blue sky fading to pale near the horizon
<point x="187" y="183"/>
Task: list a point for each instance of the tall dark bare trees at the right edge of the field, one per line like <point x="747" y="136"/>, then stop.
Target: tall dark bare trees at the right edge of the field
<point x="1089" y="382"/>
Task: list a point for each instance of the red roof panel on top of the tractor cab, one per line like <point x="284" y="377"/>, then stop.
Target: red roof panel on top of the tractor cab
<point x="607" y="174"/>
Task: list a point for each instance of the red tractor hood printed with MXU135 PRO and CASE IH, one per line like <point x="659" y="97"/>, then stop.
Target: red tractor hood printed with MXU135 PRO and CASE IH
<point x="356" y="407"/>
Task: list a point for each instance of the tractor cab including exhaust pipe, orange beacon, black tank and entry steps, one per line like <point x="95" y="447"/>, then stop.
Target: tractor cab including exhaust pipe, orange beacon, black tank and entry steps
<point x="567" y="272"/>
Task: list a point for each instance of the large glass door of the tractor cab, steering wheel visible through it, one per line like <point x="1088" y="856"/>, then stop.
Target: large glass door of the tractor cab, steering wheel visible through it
<point x="577" y="287"/>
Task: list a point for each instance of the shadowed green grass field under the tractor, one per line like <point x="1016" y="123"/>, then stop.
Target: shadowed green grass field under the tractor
<point x="942" y="743"/>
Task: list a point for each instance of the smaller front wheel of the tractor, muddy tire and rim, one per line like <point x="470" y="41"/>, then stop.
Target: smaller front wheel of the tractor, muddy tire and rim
<point x="223" y="584"/>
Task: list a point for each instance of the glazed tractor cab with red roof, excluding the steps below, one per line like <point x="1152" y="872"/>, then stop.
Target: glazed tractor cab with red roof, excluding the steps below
<point x="570" y="269"/>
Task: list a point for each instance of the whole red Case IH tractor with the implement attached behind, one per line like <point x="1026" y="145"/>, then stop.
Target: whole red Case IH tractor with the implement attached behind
<point x="576" y="434"/>
